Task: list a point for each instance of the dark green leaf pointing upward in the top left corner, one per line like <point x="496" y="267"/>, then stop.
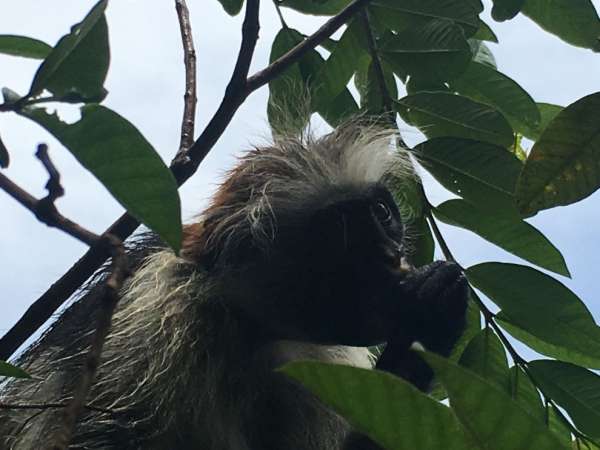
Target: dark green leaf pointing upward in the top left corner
<point x="77" y="66"/>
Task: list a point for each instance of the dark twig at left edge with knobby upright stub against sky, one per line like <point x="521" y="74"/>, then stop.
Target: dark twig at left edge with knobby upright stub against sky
<point x="44" y="208"/>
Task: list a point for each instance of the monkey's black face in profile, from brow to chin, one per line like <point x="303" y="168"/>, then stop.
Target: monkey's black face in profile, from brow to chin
<point x="334" y="266"/>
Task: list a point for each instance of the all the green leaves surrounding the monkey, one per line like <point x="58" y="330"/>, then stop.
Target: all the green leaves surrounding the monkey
<point x="428" y="63"/>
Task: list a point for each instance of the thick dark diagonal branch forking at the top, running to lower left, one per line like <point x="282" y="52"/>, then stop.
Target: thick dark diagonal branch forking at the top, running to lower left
<point x="183" y="168"/>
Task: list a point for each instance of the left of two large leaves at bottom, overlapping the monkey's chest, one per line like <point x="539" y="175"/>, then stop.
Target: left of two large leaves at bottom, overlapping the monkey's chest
<point x="389" y="410"/>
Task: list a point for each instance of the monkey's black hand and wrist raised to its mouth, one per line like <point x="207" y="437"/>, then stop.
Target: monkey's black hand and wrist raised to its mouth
<point x="433" y="307"/>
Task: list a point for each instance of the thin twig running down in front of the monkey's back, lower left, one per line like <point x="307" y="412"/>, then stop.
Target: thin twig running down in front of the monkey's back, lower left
<point x="119" y="272"/>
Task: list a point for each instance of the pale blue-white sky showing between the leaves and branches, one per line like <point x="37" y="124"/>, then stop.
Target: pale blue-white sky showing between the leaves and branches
<point x="146" y="84"/>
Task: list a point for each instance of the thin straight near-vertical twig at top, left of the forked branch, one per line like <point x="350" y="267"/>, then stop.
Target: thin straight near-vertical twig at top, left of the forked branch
<point x="189" y="60"/>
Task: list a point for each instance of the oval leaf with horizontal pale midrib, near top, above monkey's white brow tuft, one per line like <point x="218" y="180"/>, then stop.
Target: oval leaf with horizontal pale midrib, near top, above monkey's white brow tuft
<point x="437" y="51"/>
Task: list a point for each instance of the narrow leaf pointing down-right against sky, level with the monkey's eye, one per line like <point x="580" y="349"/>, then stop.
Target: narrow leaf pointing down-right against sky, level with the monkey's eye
<point x="509" y="232"/>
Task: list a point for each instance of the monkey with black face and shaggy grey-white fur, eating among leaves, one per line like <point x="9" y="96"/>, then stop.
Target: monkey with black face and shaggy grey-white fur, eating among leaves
<point x="301" y="254"/>
